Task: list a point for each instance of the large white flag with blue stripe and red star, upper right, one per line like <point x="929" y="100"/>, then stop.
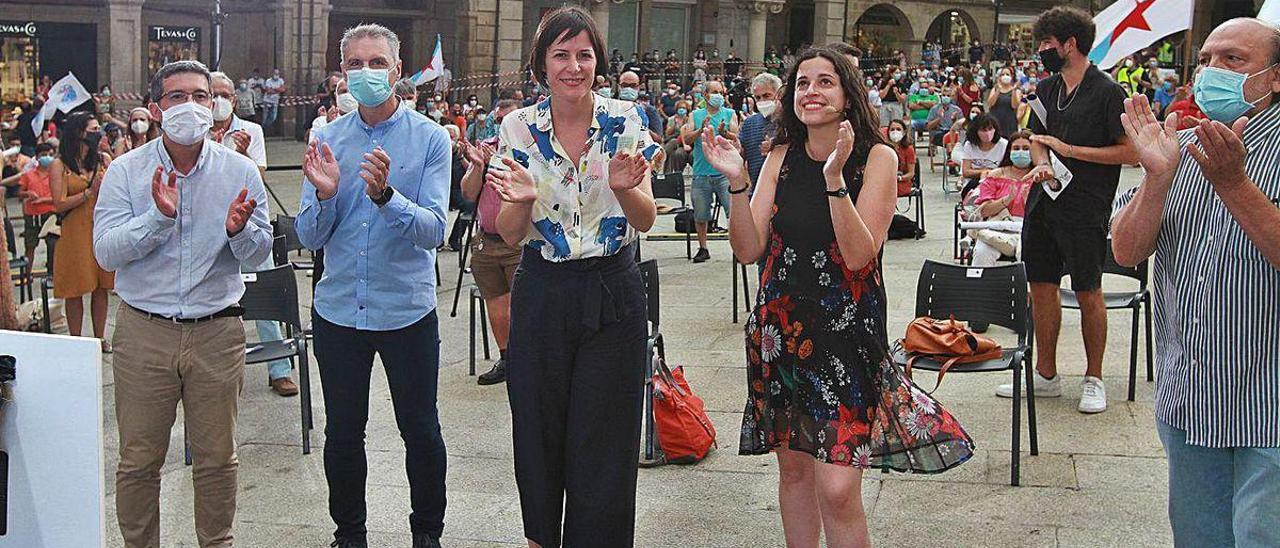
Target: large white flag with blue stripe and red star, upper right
<point x="1130" y="26"/>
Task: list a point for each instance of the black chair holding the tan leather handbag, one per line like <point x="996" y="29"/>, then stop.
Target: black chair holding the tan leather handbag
<point x="993" y="295"/>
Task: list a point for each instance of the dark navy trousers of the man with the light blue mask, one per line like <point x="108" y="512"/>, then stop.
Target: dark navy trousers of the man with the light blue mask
<point x="412" y="358"/>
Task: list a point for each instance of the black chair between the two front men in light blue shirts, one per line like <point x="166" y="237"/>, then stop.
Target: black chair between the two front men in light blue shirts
<point x="273" y="296"/>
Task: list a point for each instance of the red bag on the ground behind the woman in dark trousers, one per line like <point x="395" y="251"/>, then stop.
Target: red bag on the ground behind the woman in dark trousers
<point x="684" y="431"/>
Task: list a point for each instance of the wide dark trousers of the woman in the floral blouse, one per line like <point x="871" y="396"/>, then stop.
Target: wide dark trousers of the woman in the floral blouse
<point x="575" y="380"/>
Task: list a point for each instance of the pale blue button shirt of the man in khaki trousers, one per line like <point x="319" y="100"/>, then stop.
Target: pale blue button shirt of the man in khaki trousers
<point x="186" y="267"/>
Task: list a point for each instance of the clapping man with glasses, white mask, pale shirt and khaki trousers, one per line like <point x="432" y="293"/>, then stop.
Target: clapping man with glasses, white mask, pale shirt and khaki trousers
<point x="176" y="221"/>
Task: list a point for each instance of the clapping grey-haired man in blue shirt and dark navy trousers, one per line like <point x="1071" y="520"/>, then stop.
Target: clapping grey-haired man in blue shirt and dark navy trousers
<point x="374" y="197"/>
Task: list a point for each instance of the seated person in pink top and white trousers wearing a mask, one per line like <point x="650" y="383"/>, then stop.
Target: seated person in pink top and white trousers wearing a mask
<point x="1003" y="197"/>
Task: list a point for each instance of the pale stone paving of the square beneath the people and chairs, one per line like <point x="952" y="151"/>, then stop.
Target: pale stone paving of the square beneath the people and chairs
<point x="1099" y="481"/>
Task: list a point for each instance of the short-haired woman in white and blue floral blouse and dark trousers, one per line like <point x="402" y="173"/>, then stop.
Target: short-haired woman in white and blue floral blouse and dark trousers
<point x="573" y="173"/>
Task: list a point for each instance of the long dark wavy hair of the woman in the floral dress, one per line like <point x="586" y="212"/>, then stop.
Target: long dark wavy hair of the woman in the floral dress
<point x="858" y="112"/>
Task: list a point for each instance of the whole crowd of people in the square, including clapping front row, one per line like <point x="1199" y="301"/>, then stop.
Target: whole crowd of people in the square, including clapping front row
<point x="810" y="156"/>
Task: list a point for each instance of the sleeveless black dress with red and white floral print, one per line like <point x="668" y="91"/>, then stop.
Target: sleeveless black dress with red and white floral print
<point x="820" y="375"/>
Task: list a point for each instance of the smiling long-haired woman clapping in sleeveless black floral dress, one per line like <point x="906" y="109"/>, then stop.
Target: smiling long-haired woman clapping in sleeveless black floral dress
<point x="824" y="394"/>
